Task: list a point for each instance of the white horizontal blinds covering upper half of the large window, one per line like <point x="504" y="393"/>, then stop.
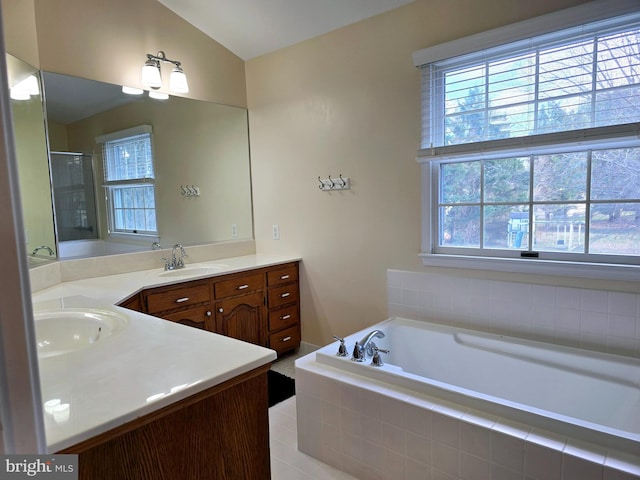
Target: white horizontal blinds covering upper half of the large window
<point x="576" y="79"/>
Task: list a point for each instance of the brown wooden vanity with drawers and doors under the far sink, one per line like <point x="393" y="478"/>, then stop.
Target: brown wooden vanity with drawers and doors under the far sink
<point x="260" y="306"/>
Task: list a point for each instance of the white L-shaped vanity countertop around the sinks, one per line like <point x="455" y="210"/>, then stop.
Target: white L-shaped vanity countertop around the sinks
<point x="148" y="365"/>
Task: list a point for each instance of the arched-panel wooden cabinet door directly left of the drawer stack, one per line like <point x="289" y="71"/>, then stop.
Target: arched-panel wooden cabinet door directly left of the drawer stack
<point x="242" y="318"/>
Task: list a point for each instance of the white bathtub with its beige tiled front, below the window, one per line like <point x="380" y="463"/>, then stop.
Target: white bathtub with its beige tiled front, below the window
<point x="579" y="410"/>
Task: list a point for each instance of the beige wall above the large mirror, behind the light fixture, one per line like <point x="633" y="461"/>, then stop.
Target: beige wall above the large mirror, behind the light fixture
<point x="108" y="41"/>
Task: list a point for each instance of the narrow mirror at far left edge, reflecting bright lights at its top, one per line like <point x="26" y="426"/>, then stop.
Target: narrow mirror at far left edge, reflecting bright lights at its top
<point x="33" y="167"/>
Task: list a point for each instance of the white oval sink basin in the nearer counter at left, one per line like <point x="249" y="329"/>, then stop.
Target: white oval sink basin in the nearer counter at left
<point x="66" y="330"/>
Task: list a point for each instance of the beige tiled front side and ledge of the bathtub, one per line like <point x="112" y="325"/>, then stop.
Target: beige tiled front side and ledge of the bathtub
<point x="386" y="432"/>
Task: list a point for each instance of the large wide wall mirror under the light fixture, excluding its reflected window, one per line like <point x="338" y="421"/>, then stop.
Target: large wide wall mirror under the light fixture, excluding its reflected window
<point x="197" y="146"/>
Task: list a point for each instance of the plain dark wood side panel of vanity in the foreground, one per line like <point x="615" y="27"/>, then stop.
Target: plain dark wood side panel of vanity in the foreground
<point x="220" y="433"/>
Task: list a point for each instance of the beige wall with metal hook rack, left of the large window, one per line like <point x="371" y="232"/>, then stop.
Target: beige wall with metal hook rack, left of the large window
<point x="348" y="102"/>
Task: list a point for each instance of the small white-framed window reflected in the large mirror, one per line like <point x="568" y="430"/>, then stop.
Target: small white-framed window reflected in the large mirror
<point x="129" y="181"/>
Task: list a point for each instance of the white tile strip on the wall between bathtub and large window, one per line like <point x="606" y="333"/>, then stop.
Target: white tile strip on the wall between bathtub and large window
<point x="605" y="321"/>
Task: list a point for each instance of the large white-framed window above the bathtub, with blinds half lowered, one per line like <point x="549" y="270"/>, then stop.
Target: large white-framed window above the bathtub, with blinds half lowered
<point x="531" y="150"/>
